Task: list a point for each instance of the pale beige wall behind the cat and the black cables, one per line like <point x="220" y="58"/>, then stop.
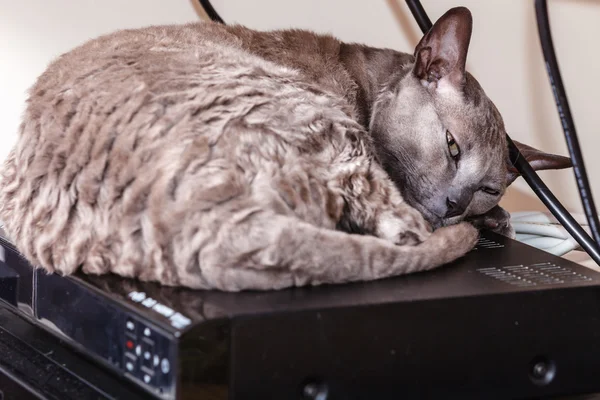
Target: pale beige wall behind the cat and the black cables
<point x="505" y="56"/>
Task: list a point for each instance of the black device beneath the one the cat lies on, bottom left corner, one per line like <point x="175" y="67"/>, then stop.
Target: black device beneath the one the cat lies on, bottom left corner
<point x="36" y="365"/>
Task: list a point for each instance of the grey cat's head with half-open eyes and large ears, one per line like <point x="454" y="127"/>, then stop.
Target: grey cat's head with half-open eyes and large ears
<point x="438" y="135"/>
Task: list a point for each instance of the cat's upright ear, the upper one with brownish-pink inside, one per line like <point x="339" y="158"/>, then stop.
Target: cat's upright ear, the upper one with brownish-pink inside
<point x="441" y="55"/>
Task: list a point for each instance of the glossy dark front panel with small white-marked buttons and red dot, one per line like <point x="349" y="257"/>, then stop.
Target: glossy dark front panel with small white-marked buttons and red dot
<point x="109" y="331"/>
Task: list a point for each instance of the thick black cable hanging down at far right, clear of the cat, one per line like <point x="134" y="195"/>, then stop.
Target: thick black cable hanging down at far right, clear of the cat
<point x="564" y="112"/>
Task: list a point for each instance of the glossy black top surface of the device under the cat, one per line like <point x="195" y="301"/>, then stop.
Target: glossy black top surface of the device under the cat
<point x="463" y="278"/>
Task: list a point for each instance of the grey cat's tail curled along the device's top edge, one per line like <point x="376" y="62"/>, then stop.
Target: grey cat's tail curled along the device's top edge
<point x="294" y="253"/>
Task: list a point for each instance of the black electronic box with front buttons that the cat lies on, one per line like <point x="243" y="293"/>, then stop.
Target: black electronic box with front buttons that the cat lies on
<point x="505" y="321"/>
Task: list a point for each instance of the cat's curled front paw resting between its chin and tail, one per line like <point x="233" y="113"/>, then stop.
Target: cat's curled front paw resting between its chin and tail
<point x="403" y="227"/>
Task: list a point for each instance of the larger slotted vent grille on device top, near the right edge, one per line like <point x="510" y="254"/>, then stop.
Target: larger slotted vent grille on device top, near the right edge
<point x="539" y="274"/>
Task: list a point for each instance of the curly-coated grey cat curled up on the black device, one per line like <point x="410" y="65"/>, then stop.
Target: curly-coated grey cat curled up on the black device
<point x="220" y="157"/>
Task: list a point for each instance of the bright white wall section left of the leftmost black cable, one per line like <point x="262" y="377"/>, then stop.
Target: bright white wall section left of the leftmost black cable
<point x="34" y="32"/>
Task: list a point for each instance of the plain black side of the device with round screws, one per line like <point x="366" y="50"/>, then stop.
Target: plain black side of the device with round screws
<point x="460" y="348"/>
